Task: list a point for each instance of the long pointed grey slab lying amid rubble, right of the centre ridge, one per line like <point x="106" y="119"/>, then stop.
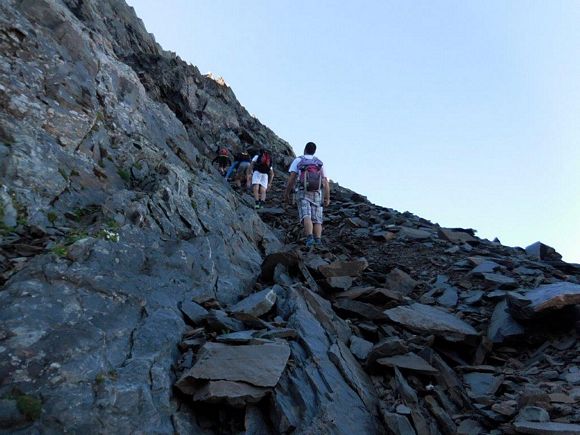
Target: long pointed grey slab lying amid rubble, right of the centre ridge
<point x="423" y="318"/>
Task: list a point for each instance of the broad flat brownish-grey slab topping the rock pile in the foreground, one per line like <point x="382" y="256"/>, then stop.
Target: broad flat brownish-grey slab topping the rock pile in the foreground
<point x="260" y="365"/>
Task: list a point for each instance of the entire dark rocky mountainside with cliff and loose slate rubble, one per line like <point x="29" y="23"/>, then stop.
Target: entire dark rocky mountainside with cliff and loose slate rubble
<point x="141" y="294"/>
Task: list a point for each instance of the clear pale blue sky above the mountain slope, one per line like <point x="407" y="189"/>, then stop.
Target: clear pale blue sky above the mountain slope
<point x="466" y="113"/>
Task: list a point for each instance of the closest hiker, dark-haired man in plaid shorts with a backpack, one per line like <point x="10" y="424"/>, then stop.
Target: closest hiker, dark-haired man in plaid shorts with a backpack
<point x="309" y="180"/>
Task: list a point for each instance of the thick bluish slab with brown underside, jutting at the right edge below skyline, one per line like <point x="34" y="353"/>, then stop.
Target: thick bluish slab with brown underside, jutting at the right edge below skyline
<point x="538" y="301"/>
